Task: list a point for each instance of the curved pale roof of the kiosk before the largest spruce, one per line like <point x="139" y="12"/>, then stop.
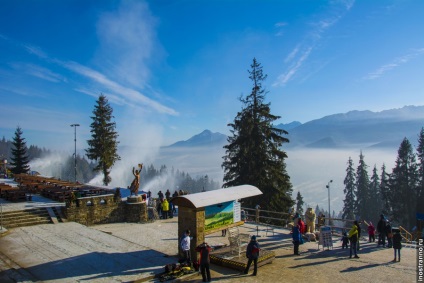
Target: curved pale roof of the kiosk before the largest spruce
<point x="216" y="196"/>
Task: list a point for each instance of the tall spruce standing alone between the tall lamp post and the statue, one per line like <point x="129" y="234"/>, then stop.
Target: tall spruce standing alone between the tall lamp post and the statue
<point x="103" y="145"/>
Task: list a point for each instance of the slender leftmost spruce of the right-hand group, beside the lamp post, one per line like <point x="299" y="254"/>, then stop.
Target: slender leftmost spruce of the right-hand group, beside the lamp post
<point x="350" y="192"/>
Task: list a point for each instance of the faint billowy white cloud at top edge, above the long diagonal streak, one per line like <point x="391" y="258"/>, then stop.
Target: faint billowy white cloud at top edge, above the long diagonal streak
<point x="128" y="42"/>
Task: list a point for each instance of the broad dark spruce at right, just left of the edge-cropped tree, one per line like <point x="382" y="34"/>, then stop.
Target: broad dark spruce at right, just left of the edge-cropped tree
<point x="403" y="184"/>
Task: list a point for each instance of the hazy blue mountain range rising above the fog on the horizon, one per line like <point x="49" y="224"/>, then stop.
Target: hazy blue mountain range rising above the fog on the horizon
<point x="352" y="129"/>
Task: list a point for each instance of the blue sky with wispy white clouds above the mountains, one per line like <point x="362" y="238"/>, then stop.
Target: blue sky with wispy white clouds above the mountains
<point x="171" y="69"/>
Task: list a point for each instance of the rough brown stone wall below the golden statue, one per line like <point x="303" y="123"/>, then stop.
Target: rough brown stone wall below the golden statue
<point x="104" y="209"/>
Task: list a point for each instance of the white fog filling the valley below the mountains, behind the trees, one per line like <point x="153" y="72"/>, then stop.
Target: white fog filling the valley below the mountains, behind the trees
<point x="310" y="170"/>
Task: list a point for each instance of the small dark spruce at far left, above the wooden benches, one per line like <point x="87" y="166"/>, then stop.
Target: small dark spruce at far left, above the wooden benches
<point x="20" y="159"/>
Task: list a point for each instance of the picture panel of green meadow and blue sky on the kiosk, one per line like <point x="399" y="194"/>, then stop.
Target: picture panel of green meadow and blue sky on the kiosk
<point x="219" y="215"/>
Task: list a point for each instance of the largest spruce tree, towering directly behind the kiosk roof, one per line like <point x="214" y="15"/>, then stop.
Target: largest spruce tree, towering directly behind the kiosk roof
<point x="253" y="153"/>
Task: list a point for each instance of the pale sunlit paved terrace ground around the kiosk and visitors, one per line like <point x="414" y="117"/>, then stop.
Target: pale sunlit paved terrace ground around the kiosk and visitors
<point x="129" y="252"/>
